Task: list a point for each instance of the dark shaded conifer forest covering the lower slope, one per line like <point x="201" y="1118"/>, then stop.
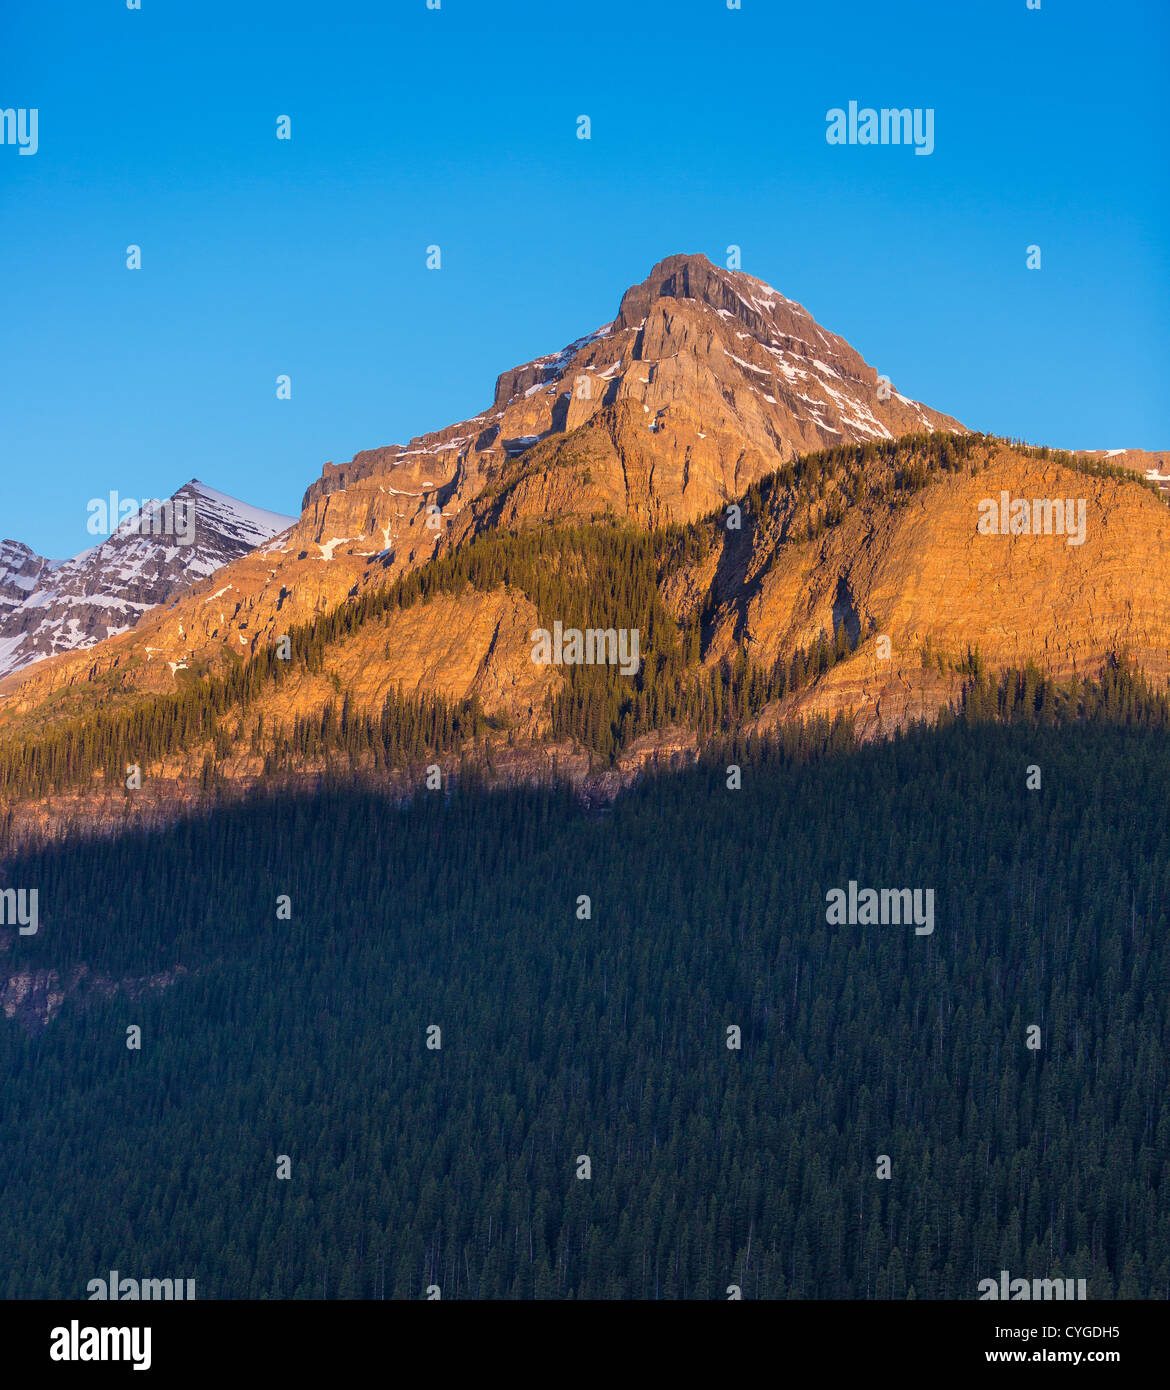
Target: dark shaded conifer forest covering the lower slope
<point x="607" y="1036"/>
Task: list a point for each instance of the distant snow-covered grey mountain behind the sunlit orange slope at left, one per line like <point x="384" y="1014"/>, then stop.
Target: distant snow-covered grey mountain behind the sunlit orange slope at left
<point x="51" y="607"/>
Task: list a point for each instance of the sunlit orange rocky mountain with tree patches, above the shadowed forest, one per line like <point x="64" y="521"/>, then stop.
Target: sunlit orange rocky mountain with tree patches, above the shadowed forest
<point x="650" y="427"/>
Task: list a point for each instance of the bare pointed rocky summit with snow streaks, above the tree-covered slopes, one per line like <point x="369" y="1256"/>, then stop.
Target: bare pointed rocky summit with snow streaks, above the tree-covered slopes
<point x="705" y="380"/>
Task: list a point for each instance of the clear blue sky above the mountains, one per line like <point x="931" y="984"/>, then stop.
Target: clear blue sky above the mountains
<point x="458" y="127"/>
